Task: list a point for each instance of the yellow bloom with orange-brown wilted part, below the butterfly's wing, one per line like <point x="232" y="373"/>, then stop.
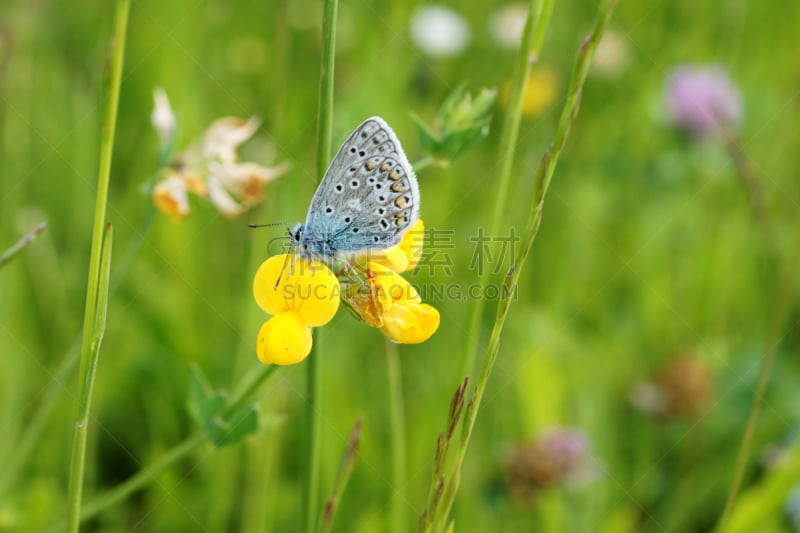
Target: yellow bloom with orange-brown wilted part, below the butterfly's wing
<point x="392" y="304"/>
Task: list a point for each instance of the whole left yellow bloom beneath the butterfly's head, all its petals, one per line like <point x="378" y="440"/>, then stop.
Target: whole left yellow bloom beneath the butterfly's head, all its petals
<point x="306" y="296"/>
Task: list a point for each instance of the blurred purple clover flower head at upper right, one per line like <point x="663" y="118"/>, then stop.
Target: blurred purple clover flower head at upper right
<point x="703" y="100"/>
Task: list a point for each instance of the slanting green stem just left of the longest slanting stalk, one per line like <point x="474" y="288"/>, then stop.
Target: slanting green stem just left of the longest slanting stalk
<point x="532" y="39"/>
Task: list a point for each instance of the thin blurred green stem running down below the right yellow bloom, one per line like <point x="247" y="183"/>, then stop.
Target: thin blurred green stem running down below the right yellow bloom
<point x="398" y="435"/>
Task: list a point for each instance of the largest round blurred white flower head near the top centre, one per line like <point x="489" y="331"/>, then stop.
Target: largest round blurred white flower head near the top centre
<point x="439" y="31"/>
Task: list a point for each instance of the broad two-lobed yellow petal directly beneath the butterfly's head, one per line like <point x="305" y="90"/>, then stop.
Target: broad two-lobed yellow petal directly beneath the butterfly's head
<point x="307" y="287"/>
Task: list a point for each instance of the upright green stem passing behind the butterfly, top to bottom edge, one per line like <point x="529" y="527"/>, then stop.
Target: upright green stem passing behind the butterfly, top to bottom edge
<point x="314" y="362"/>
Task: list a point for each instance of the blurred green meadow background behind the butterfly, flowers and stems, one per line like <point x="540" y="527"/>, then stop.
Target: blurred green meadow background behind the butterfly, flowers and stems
<point x="648" y="249"/>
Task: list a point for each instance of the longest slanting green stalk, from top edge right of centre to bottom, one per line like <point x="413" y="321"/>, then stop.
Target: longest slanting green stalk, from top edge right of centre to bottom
<point x="543" y="177"/>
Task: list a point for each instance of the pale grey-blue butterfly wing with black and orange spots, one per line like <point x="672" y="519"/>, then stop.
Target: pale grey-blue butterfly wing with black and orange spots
<point x="368" y="197"/>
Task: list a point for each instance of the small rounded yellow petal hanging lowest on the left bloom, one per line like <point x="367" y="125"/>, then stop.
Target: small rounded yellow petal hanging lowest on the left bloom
<point x="283" y="340"/>
